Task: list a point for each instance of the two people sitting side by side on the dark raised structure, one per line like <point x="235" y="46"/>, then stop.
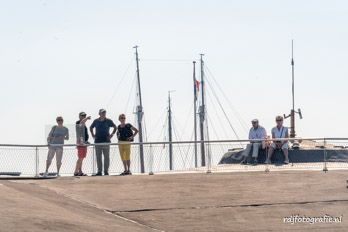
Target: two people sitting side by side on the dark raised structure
<point x="259" y="135"/>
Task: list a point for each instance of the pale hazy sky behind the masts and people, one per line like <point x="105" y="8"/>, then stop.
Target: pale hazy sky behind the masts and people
<point x="61" y="57"/>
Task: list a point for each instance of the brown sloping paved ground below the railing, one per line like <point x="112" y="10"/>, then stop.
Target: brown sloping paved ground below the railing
<point x="248" y="201"/>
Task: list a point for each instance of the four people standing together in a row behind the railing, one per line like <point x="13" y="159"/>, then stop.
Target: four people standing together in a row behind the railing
<point x="100" y="131"/>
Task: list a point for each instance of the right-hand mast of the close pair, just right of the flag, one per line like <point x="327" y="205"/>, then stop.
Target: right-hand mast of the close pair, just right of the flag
<point x="202" y="113"/>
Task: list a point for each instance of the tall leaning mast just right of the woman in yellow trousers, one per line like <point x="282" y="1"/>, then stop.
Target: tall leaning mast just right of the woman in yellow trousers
<point x="140" y="114"/>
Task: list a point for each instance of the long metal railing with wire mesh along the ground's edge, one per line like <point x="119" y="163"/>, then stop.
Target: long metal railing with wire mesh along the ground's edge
<point x="30" y="160"/>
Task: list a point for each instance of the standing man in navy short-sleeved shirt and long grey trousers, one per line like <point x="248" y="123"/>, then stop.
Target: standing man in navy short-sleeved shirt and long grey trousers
<point x="102" y="135"/>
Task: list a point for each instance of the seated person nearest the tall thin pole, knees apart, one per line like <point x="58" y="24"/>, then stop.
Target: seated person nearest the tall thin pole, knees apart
<point x="279" y="132"/>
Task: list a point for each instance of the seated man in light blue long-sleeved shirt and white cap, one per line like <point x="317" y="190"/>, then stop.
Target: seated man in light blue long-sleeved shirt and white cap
<point x="256" y="132"/>
